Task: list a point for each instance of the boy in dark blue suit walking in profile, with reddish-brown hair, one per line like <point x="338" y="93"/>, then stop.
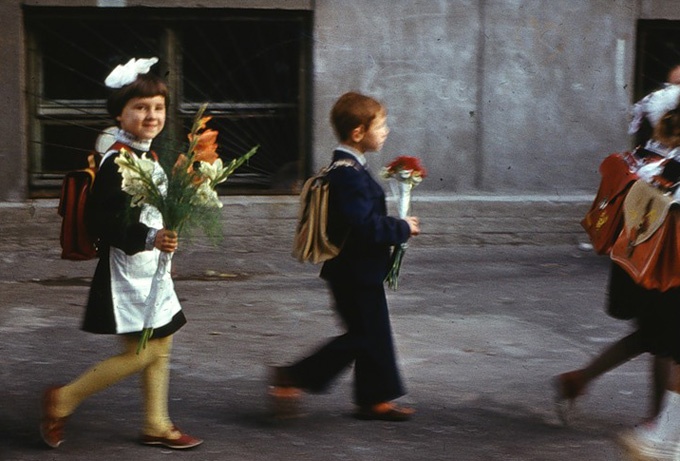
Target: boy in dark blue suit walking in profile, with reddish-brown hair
<point x="357" y="220"/>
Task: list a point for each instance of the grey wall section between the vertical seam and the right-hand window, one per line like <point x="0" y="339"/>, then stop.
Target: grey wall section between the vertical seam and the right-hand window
<point x="558" y="78"/>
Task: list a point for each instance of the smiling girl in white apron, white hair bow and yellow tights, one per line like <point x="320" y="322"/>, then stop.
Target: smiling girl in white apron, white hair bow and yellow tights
<point x="130" y="242"/>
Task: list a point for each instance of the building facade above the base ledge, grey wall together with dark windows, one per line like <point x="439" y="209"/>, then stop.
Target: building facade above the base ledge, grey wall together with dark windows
<point x="498" y="97"/>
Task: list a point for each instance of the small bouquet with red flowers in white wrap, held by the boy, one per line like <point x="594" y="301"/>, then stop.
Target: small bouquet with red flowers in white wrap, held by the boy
<point x="407" y="173"/>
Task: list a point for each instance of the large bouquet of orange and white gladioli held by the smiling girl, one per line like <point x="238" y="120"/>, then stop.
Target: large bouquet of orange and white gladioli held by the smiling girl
<point x="184" y="196"/>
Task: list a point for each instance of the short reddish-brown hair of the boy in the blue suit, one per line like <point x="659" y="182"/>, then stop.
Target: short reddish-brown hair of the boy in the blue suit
<point x="353" y="110"/>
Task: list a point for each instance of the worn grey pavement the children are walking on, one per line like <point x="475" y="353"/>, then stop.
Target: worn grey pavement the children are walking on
<point x="480" y="327"/>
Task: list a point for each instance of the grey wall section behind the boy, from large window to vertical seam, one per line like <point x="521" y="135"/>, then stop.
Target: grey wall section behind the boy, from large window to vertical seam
<point x="421" y="59"/>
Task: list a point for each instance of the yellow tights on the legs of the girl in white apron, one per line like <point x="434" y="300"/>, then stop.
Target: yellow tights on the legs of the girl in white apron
<point x="153" y="363"/>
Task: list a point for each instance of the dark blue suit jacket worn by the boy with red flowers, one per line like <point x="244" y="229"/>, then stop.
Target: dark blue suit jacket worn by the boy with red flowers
<point x="357" y="216"/>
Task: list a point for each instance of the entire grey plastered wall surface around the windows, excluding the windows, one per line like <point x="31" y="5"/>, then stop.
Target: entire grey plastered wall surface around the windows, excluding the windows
<point x="499" y="97"/>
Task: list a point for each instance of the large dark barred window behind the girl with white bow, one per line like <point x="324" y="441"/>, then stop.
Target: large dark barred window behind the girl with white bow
<point x="250" y="66"/>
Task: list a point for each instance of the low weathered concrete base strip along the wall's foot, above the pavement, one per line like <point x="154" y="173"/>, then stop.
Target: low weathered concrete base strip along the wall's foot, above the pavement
<point x="271" y="221"/>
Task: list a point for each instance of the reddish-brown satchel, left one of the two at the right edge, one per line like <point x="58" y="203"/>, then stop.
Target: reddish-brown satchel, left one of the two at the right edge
<point x="604" y="219"/>
